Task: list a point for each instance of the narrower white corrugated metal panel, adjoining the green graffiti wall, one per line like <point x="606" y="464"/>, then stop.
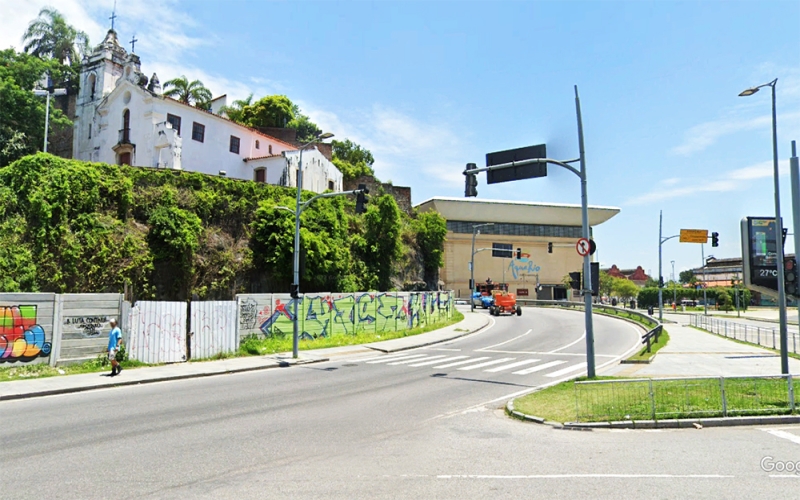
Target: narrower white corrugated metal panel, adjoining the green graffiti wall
<point x="213" y="328"/>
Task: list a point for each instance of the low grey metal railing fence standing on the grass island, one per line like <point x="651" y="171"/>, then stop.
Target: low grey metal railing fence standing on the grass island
<point x="669" y="398"/>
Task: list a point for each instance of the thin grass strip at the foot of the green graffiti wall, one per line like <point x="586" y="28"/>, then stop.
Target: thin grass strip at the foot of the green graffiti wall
<point x="256" y="345"/>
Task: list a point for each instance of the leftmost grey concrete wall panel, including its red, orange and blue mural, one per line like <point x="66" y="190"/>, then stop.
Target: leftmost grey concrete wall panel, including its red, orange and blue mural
<point x="26" y="328"/>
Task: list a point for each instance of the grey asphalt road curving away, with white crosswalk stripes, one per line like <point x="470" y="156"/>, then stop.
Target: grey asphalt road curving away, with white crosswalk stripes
<point x="371" y="426"/>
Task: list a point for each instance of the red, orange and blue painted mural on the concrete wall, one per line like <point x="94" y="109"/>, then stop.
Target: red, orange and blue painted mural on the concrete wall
<point x="21" y="338"/>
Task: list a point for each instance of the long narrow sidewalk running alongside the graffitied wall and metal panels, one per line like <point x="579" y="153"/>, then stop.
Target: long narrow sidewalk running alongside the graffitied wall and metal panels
<point x="19" y="389"/>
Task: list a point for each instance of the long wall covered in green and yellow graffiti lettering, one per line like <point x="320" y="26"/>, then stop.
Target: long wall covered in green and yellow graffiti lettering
<point x="327" y="314"/>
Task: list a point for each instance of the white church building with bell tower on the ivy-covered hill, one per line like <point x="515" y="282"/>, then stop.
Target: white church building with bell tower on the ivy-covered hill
<point x="122" y="118"/>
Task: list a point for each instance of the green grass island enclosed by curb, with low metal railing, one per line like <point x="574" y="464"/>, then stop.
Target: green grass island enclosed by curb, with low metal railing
<point x="630" y="399"/>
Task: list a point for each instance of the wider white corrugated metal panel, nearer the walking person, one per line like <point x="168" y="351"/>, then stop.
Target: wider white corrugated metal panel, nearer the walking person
<point x="157" y="332"/>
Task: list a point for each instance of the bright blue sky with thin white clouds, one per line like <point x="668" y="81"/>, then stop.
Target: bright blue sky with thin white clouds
<point x="430" y="86"/>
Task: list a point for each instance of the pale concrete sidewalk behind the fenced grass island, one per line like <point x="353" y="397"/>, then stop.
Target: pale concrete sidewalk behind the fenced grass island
<point x="694" y="353"/>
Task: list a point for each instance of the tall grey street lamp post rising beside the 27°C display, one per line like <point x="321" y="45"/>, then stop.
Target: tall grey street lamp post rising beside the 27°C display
<point x="778" y="227"/>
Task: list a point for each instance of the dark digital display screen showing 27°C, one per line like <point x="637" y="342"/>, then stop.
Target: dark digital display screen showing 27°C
<point x="763" y="252"/>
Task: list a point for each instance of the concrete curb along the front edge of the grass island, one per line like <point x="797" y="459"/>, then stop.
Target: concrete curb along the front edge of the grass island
<point x="677" y="423"/>
